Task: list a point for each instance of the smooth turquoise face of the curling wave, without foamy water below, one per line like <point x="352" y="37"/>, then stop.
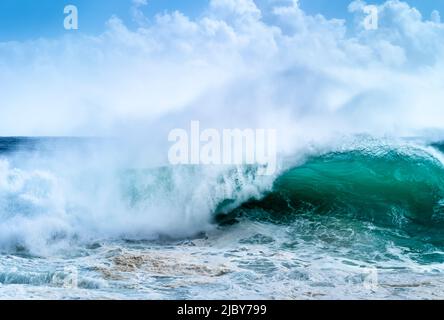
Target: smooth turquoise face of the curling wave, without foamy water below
<point x="401" y="189"/>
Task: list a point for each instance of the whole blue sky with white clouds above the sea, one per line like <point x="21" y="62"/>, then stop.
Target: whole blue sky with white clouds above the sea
<point x="136" y="66"/>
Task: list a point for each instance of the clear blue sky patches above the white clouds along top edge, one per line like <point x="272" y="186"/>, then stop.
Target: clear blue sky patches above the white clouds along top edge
<point x="29" y="19"/>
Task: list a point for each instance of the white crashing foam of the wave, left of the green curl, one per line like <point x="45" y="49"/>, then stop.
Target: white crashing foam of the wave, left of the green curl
<point x="43" y="209"/>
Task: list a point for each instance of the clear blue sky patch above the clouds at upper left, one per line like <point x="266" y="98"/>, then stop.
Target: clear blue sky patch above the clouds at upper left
<point x="25" y="19"/>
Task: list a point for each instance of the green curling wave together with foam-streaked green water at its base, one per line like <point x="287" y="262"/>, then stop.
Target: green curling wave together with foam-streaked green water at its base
<point x="360" y="201"/>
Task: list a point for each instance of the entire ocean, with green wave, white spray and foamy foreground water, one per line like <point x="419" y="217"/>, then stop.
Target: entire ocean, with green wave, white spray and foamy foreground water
<point x="364" y="220"/>
